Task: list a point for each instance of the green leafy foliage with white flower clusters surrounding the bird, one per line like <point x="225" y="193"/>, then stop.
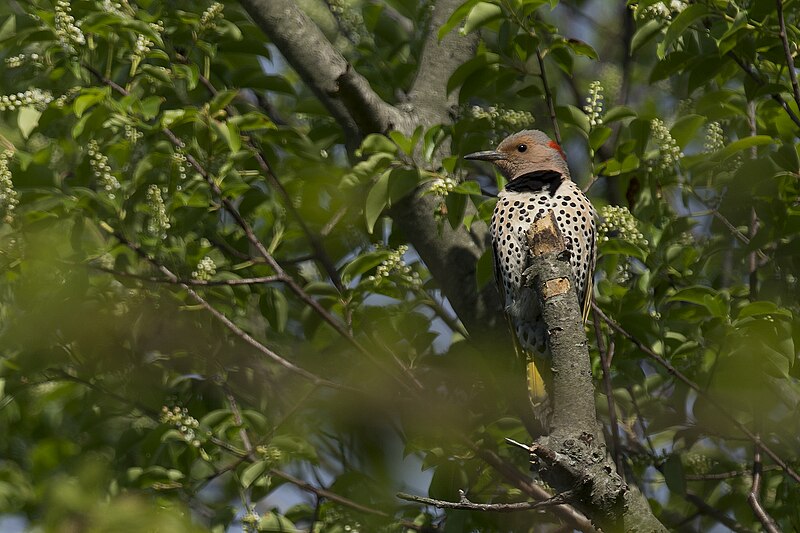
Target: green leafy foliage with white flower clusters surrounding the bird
<point x="125" y="405"/>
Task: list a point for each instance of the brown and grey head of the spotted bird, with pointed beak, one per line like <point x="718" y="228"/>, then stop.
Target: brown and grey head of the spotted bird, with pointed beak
<point x="525" y="152"/>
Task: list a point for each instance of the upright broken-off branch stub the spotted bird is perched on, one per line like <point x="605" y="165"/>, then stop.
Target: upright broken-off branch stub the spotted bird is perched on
<point x="573" y="457"/>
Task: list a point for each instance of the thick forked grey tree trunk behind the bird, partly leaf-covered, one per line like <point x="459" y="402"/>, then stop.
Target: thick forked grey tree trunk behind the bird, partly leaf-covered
<point x="451" y="255"/>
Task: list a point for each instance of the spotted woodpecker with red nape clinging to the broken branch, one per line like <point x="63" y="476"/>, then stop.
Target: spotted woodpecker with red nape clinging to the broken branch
<point x="538" y="181"/>
